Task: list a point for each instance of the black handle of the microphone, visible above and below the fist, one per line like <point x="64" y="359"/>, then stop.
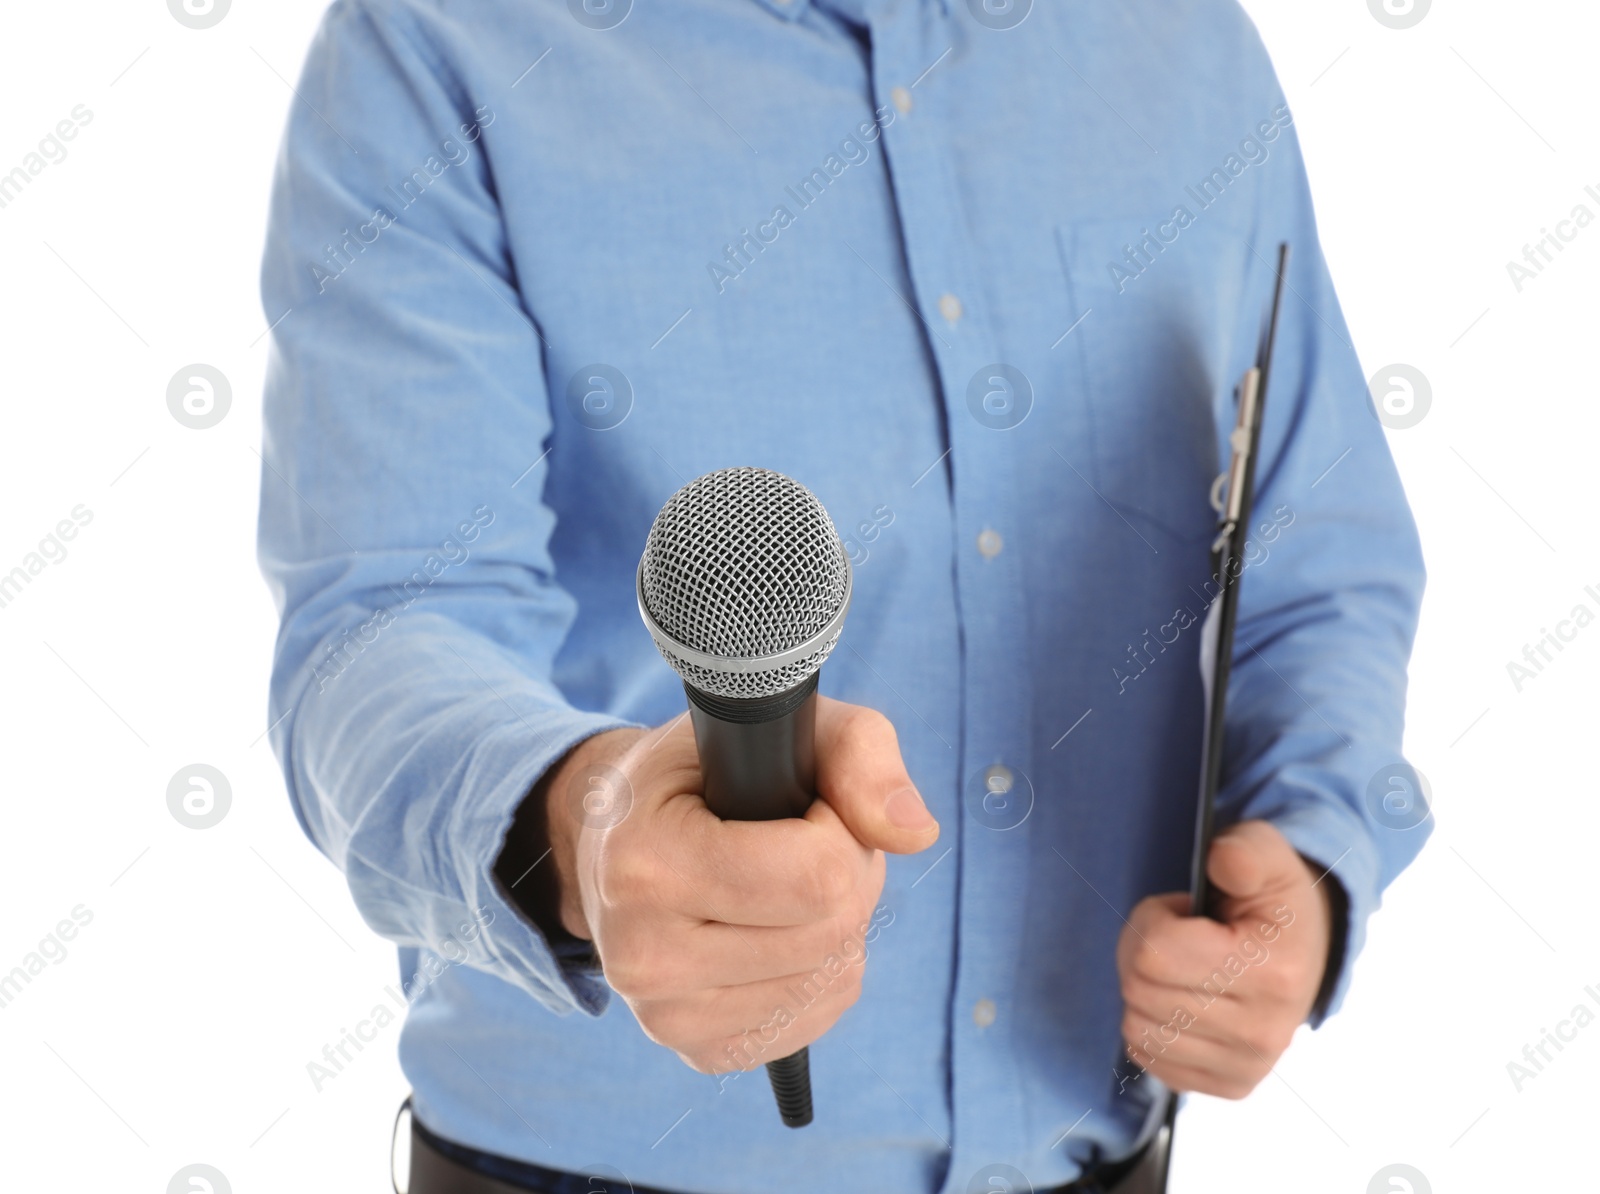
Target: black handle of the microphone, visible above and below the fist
<point x="759" y="764"/>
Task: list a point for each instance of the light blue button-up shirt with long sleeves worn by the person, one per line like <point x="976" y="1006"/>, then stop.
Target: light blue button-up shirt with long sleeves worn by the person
<point x="985" y="290"/>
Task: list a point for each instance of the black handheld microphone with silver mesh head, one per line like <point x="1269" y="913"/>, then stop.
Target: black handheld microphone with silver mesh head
<point x="743" y="587"/>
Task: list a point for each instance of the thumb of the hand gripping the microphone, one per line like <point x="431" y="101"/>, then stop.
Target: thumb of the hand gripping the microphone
<point x="863" y="779"/>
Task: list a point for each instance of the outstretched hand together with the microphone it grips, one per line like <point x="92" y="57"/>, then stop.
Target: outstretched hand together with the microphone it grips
<point x="721" y="894"/>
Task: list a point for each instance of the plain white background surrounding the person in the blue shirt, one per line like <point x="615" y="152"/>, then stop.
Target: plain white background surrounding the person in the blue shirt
<point x="220" y="963"/>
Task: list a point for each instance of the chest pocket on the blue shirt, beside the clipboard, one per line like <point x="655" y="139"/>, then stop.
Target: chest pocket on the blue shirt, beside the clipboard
<point x="1150" y="343"/>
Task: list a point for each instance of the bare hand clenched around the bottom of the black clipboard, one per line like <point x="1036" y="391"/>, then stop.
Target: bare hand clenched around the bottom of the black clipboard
<point x="1212" y="1006"/>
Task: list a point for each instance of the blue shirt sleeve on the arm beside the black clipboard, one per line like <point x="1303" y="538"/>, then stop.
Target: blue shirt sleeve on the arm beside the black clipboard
<point x="1332" y="590"/>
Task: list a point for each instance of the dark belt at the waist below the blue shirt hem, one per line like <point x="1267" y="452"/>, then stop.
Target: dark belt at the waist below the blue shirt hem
<point x="446" y="1168"/>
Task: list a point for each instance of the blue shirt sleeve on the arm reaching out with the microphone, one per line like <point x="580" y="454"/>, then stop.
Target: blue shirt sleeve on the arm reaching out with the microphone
<point x="402" y="526"/>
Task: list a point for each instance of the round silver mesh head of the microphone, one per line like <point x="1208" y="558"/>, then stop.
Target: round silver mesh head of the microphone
<point x="745" y="583"/>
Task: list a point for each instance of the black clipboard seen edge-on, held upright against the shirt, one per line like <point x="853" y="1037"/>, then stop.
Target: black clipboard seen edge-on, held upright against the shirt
<point x="1233" y="497"/>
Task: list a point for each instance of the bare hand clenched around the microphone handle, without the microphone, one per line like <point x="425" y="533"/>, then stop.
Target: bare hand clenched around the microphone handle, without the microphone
<point x="734" y="944"/>
